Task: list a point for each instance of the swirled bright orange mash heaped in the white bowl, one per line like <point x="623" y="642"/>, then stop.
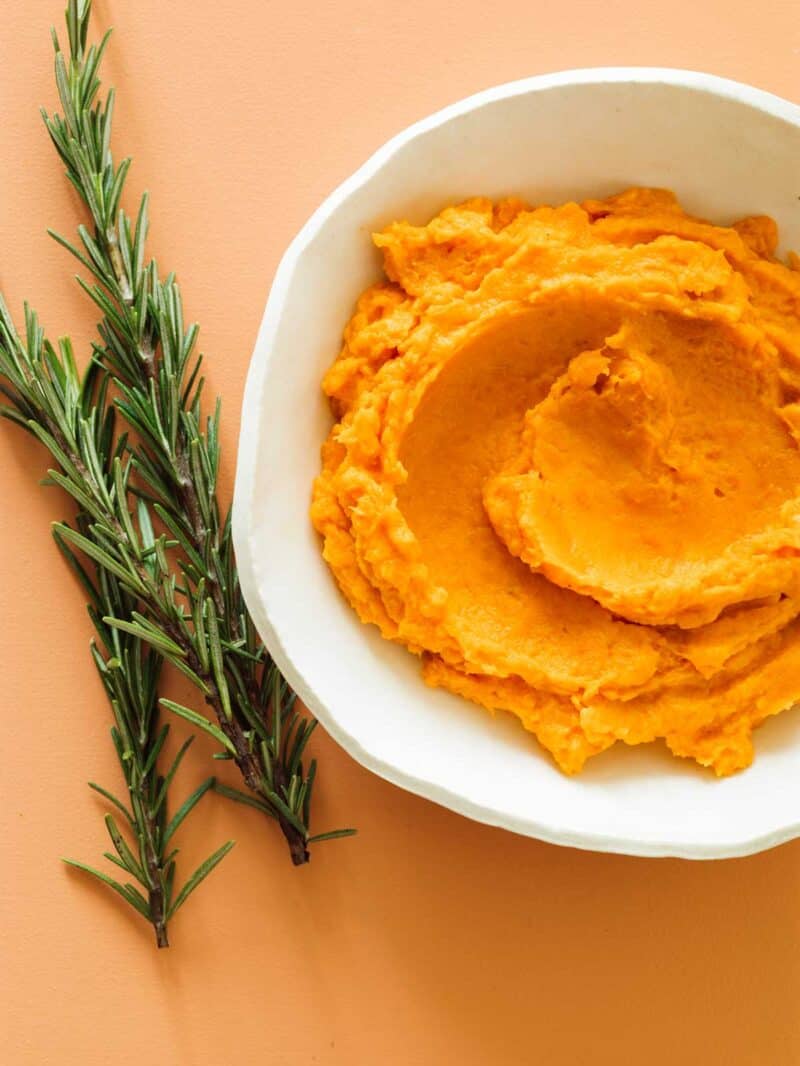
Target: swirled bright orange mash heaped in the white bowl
<point x="566" y="470"/>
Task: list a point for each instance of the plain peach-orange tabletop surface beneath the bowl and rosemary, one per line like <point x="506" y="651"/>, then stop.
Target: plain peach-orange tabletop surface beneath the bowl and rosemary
<point x="427" y="940"/>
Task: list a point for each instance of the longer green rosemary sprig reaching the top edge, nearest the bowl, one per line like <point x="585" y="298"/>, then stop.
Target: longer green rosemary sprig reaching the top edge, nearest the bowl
<point x="193" y="612"/>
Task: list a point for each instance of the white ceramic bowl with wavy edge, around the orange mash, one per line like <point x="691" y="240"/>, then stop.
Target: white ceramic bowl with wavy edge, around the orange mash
<point x="728" y="151"/>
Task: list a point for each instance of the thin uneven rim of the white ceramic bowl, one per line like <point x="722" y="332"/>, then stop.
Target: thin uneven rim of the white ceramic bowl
<point x="249" y="450"/>
